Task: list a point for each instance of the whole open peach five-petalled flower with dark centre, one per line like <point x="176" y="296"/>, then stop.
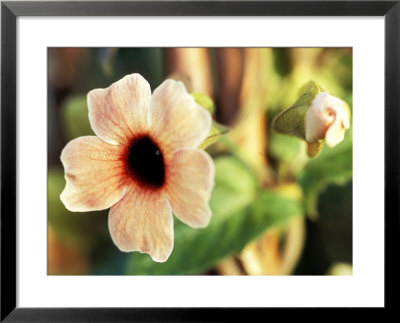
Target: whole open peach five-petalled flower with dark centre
<point x="144" y="163"/>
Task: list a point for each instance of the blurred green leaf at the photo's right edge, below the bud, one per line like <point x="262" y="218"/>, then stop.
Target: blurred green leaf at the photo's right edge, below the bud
<point x="332" y="166"/>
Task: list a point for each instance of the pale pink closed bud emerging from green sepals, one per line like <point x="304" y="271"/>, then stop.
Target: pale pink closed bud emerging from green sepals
<point x="327" y="119"/>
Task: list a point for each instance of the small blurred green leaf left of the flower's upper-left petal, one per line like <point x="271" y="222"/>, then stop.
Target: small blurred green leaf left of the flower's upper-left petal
<point x="75" y="117"/>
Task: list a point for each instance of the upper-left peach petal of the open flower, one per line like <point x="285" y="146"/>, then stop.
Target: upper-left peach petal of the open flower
<point x="117" y="112"/>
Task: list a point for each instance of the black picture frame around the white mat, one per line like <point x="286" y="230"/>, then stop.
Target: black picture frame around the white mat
<point x="10" y="11"/>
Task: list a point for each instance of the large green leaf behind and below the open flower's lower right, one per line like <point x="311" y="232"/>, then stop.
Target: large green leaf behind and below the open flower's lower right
<point x="241" y="212"/>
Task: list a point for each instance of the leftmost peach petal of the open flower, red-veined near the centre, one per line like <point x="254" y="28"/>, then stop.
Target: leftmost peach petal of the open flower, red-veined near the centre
<point x="93" y="172"/>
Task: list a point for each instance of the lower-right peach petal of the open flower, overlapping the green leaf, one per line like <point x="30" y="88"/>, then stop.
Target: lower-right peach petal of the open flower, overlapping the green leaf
<point x="190" y="179"/>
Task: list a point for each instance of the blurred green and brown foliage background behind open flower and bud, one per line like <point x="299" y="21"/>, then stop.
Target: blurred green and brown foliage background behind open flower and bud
<point x="275" y="210"/>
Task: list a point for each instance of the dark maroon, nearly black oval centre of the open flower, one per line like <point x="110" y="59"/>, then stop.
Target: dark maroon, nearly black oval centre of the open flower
<point x="146" y="162"/>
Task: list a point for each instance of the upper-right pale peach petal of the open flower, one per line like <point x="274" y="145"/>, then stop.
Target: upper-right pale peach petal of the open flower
<point x="176" y="119"/>
